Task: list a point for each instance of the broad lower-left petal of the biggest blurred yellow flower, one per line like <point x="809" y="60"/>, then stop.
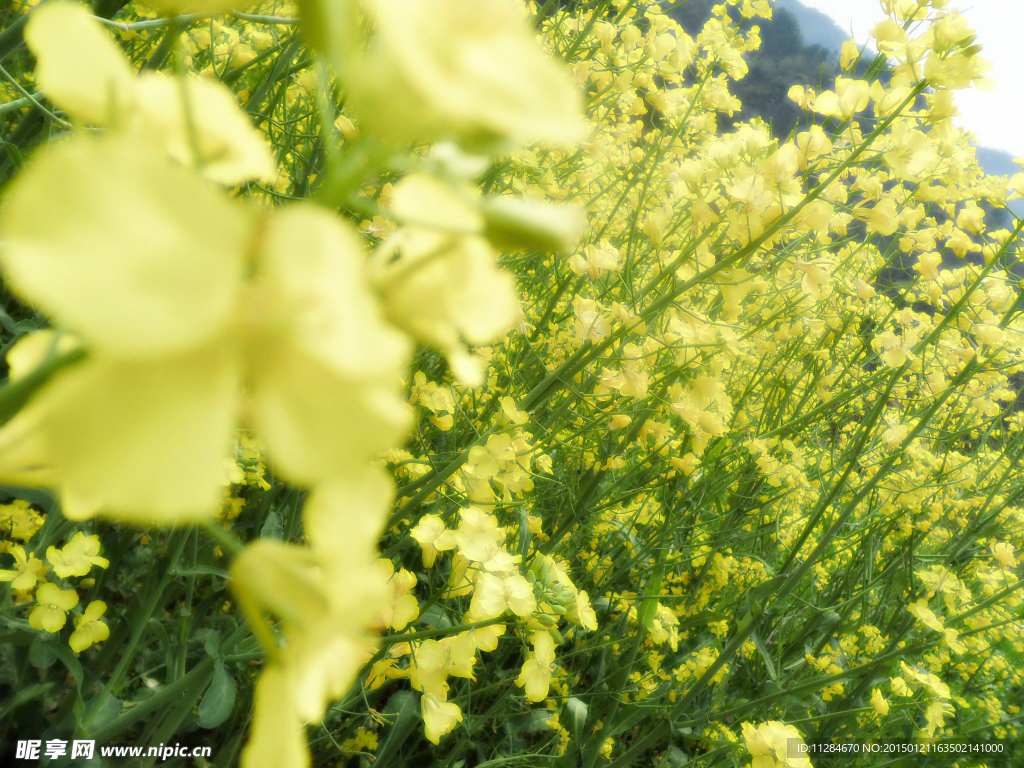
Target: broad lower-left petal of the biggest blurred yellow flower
<point x="140" y="442"/>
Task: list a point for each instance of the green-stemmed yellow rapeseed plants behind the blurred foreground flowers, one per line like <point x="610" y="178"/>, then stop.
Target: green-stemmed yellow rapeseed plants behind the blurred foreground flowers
<point x="747" y="468"/>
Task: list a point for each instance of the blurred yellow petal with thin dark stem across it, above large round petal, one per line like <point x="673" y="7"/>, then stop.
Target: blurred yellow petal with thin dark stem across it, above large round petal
<point x="232" y="150"/>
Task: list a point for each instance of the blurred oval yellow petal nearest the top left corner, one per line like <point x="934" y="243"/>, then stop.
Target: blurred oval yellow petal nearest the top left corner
<point x="79" y="66"/>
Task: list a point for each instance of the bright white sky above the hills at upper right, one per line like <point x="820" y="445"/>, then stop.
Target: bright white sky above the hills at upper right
<point x="996" y="117"/>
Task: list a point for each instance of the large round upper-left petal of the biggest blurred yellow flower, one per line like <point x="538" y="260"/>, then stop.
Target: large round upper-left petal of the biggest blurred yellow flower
<point x="136" y="254"/>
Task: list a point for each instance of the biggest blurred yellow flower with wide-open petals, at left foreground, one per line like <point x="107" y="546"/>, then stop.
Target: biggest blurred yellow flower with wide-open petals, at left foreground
<point x="182" y="296"/>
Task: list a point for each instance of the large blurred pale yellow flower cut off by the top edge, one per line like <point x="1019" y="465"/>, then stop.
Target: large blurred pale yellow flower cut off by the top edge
<point x="465" y="70"/>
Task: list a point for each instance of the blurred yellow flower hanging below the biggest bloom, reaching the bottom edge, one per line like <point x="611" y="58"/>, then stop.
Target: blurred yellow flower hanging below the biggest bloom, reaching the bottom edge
<point x="327" y="599"/>
